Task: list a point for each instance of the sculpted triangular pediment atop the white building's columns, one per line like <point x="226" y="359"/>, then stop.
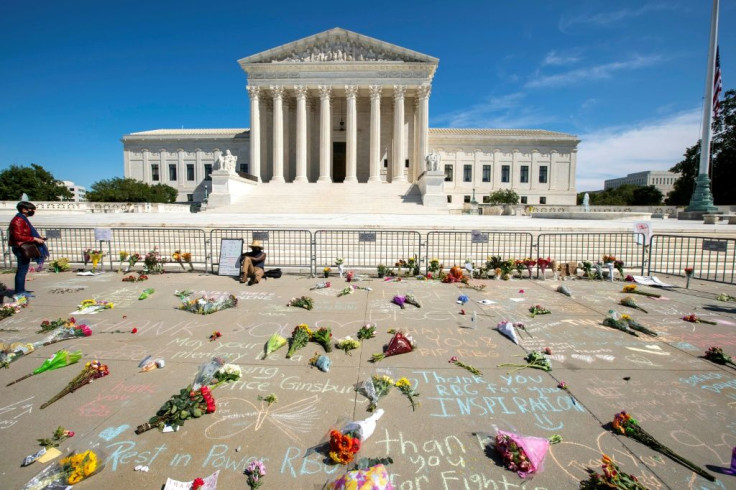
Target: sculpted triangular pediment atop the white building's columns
<point x="338" y="46"/>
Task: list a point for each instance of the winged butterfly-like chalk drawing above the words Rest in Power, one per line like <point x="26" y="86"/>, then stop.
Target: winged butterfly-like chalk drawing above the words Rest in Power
<point x="236" y="415"/>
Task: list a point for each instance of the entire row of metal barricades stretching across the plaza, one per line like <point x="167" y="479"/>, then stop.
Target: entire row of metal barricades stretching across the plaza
<point x="713" y="259"/>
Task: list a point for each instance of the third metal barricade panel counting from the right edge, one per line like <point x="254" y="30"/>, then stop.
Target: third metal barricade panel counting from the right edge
<point x="455" y="247"/>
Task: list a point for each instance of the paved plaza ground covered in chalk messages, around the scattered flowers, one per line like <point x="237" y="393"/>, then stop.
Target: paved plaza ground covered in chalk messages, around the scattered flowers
<point x="685" y="401"/>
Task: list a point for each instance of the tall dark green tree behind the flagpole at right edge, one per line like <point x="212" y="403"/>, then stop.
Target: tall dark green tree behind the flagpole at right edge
<point x="723" y="160"/>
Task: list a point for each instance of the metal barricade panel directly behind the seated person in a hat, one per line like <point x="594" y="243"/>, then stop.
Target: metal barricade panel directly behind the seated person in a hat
<point x="284" y="248"/>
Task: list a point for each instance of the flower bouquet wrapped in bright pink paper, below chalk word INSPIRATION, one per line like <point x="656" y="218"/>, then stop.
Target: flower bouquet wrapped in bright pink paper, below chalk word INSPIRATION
<point x="523" y="454"/>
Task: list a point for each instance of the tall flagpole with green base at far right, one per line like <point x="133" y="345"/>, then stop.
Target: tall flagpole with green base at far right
<point x="701" y="201"/>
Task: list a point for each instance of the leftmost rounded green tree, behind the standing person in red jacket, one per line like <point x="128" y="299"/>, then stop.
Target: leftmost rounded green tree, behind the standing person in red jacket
<point x="36" y="181"/>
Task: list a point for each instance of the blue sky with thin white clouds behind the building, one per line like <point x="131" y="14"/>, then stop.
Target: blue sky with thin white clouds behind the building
<point x="627" y="77"/>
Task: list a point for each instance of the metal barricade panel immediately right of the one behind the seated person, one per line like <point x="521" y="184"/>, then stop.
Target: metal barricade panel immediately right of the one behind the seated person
<point x="365" y="249"/>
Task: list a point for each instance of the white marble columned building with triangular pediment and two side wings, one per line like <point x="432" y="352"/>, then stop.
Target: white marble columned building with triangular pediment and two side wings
<point x="342" y="108"/>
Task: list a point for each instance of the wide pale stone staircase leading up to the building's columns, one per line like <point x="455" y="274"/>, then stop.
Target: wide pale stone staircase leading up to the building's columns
<point x="318" y="198"/>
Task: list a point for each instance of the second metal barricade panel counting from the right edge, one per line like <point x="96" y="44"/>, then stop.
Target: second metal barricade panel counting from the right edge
<point x="579" y="247"/>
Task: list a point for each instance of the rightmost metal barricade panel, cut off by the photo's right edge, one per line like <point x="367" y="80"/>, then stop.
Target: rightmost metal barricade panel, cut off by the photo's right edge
<point x="712" y="259"/>
